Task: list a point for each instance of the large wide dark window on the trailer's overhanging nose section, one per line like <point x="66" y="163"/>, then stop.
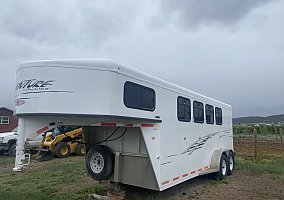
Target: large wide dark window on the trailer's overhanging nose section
<point x="139" y="97"/>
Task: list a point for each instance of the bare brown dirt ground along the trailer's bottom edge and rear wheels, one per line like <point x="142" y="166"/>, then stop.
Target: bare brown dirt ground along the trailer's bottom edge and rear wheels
<point x="241" y="186"/>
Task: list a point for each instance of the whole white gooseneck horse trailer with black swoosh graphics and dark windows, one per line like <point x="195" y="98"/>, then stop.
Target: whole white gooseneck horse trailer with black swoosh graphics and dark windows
<point x="138" y="130"/>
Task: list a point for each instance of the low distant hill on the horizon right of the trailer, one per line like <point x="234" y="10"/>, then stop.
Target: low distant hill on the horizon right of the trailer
<point x="273" y="119"/>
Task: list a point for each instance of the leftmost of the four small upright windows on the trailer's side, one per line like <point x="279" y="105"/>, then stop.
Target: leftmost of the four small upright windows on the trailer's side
<point x="183" y="109"/>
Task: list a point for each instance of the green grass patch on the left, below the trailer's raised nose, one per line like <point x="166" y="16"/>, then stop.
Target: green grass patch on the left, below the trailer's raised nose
<point x="55" y="179"/>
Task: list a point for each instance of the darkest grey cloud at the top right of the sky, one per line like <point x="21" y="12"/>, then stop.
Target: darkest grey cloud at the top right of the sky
<point x="194" y="13"/>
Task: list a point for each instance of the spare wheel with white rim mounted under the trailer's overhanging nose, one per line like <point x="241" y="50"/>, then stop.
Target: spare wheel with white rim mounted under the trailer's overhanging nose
<point x="99" y="162"/>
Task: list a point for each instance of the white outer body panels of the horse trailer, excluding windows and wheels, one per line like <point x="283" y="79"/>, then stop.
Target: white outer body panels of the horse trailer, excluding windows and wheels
<point x="91" y="92"/>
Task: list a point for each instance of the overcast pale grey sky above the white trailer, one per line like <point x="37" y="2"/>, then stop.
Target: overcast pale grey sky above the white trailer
<point x="230" y="50"/>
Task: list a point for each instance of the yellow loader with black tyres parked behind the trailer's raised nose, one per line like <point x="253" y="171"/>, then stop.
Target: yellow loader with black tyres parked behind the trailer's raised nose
<point x="63" y="143"/>
